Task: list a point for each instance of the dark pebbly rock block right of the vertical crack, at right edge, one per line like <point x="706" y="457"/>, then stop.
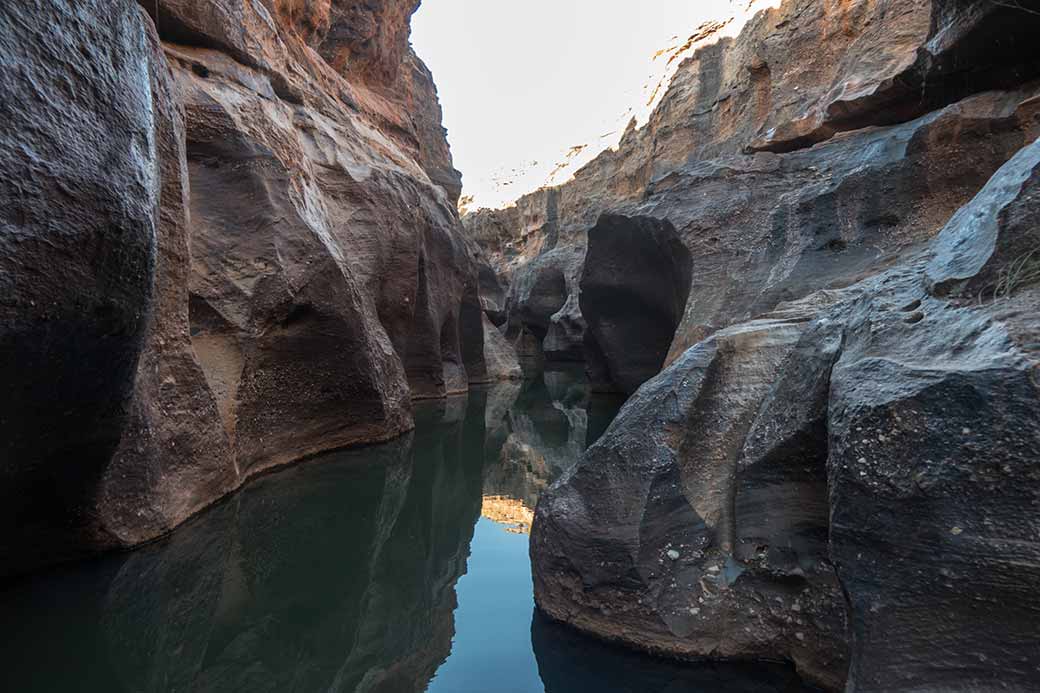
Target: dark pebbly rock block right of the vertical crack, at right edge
<point x="934" y="465"/>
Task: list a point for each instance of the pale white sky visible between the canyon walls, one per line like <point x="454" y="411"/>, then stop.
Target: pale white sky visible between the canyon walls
<point x="524" y="82"/>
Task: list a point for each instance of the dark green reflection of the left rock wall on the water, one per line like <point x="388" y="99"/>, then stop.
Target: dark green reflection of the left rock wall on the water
<point x="339" y="575"/>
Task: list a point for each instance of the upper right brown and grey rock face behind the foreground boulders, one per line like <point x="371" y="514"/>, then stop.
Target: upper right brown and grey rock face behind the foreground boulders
<point x="905" y="101"/>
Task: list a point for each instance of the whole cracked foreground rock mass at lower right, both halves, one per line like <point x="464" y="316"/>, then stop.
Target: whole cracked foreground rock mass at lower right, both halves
<point x="869" y="453"/>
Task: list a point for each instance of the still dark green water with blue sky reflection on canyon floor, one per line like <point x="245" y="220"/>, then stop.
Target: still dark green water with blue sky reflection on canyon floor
<point x="398" y="569"/>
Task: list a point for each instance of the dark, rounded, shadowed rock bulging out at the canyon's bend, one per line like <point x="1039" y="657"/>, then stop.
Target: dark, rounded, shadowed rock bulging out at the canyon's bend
<point x="634" y="292"/>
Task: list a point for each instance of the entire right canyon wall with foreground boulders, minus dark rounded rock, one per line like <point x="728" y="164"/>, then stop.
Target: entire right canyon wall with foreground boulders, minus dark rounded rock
<point x="831" y="218"/>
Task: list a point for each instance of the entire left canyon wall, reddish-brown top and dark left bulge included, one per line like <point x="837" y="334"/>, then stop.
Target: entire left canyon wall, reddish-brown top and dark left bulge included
<point x="265" y="265"/>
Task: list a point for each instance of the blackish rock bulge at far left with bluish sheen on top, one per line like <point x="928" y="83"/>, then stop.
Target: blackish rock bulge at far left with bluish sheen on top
<point x="79" y="237"/>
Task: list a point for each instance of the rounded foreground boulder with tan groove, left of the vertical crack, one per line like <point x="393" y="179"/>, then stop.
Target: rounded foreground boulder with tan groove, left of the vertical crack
<point x="673" y="537"/>
